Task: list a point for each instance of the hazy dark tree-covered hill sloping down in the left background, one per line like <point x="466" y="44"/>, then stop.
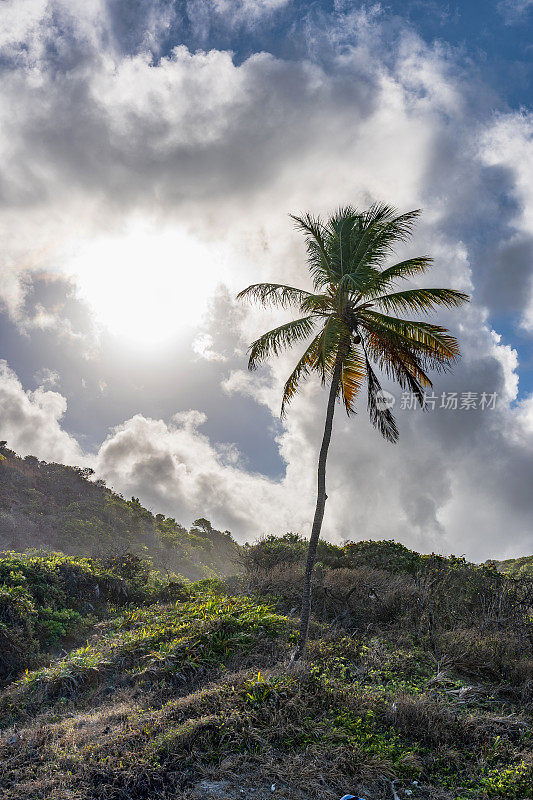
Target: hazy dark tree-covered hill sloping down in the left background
<point x="61" y="508"/>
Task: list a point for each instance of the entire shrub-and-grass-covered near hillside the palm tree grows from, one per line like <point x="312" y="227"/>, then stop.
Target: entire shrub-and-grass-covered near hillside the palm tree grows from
<point x="419" y="680"/>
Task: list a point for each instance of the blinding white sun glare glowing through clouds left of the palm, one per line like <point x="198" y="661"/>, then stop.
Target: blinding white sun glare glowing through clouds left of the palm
<point x="146" y="286"/>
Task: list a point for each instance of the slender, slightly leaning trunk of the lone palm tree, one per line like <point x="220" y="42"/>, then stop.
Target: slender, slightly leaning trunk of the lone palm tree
<point x="319" y="510"/>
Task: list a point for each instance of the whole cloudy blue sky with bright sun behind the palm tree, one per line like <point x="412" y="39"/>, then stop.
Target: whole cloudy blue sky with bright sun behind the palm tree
<point x="151" y="153"/>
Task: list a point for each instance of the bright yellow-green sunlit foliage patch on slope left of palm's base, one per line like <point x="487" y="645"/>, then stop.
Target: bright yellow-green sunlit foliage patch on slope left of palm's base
<point x="157" y="643"/>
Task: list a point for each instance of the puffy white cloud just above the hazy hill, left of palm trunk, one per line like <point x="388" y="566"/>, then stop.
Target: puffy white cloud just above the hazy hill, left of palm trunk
<point x="174" y="467"/>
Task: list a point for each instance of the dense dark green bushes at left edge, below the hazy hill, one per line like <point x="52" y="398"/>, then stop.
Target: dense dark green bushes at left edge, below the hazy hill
<point x="48" y="600"/>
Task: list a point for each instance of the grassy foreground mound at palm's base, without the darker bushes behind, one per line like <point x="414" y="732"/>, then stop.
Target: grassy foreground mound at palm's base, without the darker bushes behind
<point x="165" y="695"/>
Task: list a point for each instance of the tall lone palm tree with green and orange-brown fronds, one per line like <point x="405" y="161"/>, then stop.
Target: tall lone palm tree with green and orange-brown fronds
<point x="348" y="316"/>
